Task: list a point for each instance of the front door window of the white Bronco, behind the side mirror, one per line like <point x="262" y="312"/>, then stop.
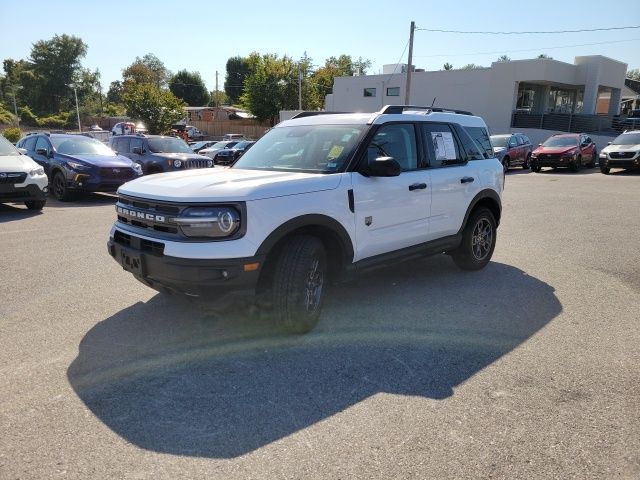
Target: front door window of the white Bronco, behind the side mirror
<point x="397" y="141"/>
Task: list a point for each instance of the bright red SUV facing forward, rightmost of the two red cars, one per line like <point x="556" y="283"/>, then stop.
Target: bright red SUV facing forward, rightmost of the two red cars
<point x="572" y="150"/>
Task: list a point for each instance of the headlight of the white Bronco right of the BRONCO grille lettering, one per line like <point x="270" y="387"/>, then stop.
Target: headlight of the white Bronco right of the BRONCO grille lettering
<point x="213" y="222"/>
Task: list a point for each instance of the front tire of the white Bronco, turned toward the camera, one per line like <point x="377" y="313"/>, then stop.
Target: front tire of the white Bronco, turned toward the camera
<point x="298" y="282"/>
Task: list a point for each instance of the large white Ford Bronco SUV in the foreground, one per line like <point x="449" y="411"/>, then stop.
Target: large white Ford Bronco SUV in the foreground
<point x="318" y="197"/>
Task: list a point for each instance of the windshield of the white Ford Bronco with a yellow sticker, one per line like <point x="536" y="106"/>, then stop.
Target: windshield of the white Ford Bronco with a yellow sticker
<point x="310" y="148"/>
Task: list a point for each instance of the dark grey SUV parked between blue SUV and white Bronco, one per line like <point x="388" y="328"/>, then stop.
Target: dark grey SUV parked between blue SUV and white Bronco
<point x="157" y="153"/>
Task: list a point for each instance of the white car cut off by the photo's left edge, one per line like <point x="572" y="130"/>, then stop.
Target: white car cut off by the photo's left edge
<point x="21" y="179"/>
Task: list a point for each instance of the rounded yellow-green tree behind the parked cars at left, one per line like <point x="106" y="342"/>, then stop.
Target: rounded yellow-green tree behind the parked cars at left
<point x="158" y="109"/>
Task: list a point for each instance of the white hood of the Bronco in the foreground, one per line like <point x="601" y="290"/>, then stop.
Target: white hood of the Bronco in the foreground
<point x="227" y="184"/>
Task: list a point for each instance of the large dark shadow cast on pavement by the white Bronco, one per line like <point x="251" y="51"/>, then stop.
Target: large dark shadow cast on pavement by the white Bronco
<point x="179" y="378"/>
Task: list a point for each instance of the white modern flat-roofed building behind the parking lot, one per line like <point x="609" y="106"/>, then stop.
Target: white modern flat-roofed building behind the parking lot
<point x="534" y="91"/>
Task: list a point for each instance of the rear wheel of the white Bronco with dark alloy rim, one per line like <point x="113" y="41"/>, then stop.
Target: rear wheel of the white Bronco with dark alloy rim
<point x="478" y="241"/>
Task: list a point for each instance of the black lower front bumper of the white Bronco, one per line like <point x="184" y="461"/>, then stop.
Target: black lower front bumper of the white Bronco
<point x="209" y="278"/>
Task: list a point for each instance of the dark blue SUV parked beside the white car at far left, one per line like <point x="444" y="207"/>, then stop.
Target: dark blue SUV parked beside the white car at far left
<point x="76" y="163"/>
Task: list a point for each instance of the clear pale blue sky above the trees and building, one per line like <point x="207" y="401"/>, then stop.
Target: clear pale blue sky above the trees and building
<point x="200" y="36"/>
